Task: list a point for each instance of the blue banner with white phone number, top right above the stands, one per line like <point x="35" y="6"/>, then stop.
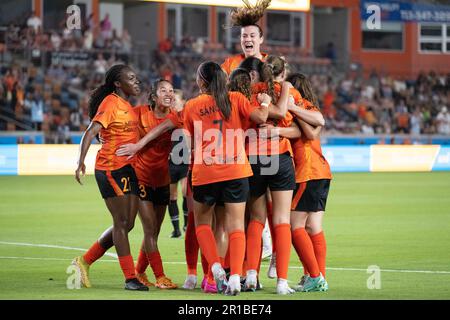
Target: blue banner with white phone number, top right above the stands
<point x="405" y="12"/>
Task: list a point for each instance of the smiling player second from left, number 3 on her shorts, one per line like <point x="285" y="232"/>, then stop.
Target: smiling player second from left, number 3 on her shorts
<point x="152" y="169"/>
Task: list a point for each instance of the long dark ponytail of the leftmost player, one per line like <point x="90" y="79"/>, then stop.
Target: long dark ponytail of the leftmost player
<point x="97" y="96"/>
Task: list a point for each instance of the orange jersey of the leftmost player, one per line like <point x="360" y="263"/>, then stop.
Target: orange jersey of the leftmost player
<point x="120" y="126"/>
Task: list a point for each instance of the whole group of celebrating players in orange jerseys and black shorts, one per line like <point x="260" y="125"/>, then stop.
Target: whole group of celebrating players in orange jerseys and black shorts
<point x="250" y="143"/>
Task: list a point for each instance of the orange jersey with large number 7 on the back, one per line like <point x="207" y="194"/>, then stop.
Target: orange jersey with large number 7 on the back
<point x="219" y="155"/>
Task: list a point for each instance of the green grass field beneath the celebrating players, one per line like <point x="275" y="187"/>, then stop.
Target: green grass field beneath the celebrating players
<point x="399" y="222"/>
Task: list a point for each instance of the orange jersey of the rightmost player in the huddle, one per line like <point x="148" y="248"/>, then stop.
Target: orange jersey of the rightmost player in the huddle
<point x="310" y="164"/>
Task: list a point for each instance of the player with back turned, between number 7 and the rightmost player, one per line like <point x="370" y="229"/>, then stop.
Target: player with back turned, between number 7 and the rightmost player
<point x="272" y="168"/>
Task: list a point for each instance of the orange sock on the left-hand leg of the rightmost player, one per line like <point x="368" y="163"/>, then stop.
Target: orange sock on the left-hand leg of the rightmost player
<point x="305" y="251"/>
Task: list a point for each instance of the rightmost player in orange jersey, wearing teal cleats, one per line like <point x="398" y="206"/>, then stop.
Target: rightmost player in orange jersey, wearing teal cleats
<point x="313" y="176"/>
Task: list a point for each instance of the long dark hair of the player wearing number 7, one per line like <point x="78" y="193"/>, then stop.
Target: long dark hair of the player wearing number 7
<point x="215" y="80"/>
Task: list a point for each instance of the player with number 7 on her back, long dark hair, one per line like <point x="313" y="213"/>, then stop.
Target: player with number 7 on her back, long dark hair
<point x="220" y="170"/>
